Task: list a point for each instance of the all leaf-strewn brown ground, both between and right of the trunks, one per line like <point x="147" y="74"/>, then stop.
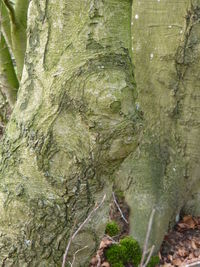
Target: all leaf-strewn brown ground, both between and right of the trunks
<point x="181" y="246"/>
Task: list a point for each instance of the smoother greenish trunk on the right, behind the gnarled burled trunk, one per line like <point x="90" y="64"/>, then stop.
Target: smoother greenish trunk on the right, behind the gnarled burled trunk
<point x="165" y="167"/>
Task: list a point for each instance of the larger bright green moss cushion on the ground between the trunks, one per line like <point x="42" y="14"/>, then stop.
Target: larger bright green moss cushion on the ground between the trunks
<point x="127" y="251"/>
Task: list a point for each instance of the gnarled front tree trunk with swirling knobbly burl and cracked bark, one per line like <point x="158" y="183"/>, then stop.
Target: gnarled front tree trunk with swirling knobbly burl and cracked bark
<point x="73" y="124"/>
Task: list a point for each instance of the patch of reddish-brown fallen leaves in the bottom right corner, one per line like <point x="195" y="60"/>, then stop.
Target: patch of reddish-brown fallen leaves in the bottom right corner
<point x="181" y="246"/>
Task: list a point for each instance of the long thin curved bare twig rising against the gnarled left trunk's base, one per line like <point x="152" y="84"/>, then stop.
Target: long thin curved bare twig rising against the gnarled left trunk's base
<point x="79" y="228"/>
